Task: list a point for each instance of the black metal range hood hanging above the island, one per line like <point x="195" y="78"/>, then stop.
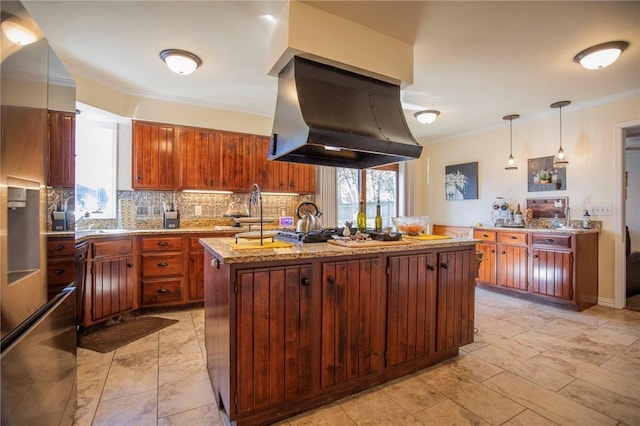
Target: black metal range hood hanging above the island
<point x="332" y="117"/>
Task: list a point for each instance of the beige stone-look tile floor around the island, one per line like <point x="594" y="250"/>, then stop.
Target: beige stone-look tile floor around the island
<point x="530" y="364"/>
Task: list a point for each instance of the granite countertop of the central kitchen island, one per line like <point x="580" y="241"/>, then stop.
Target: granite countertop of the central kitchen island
<point x="227" y="254"/>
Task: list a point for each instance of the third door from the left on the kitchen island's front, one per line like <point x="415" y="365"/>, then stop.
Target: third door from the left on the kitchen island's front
<point x="411" y="306"/>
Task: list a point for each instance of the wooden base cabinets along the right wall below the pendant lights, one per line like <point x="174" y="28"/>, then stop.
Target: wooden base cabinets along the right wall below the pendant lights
<point x="554" y="267"/>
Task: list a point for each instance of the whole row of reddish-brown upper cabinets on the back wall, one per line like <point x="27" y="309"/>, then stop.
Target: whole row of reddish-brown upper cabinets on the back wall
<point x="168" y="157"/>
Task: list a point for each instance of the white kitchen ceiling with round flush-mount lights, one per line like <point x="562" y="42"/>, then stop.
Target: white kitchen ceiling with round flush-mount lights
<point x="474" y="61"/>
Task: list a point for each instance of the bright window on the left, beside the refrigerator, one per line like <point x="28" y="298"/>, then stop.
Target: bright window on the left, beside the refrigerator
<point x="96" y="150"/>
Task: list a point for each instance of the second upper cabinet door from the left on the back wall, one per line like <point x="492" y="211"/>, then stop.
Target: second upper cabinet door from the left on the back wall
<point x="200" y="159"/>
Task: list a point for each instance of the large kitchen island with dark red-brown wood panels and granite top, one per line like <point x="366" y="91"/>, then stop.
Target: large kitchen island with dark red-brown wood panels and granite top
<point x="292" y="328"/>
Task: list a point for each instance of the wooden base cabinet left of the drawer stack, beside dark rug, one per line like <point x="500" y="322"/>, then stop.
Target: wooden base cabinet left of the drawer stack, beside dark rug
<point x="111" y="282"/>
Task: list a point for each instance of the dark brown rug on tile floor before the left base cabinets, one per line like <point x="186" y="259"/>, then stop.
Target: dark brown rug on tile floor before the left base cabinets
<point x="112" y="337"/>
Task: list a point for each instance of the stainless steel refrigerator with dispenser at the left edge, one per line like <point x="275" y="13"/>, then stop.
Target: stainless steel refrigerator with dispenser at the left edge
<point x="38" y="341"/>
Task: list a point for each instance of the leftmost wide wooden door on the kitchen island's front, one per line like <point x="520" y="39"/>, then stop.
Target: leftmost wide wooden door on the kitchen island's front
<point x="274" y="336"/>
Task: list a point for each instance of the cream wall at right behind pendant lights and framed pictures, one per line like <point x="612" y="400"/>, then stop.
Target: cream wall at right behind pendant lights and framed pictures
<point x="588" y="140"/>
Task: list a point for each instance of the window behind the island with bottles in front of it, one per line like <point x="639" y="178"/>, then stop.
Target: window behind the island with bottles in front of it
<point x="380" y="183"/>
